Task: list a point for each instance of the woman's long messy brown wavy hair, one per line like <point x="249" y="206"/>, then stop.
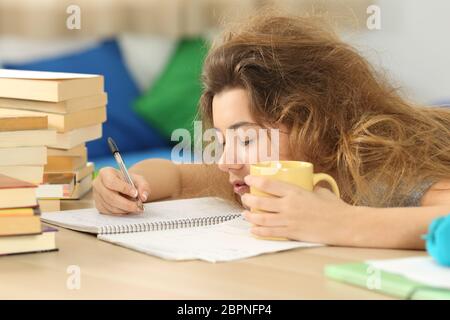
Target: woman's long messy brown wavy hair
<point x="342" y="115"/>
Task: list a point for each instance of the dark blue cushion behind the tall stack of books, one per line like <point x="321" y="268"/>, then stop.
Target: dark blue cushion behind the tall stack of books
<point x="129" y="131"/>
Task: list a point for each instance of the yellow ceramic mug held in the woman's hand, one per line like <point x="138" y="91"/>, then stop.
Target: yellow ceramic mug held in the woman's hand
<point x="296" y="172"/>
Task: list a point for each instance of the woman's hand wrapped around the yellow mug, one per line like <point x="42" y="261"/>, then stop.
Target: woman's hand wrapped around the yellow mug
<point x="297" y="214"/>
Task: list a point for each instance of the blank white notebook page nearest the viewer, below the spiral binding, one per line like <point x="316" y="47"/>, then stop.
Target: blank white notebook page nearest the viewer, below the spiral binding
<point x="227" y="241"/>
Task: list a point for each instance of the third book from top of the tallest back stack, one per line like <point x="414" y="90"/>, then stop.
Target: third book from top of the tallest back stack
<point x="63" y="122"/>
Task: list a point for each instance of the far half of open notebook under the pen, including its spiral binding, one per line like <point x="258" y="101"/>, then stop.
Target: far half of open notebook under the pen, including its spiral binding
<point x="157" y="216"/>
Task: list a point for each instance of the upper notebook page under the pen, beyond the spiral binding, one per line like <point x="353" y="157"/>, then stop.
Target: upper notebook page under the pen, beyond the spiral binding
<point x="90" y="220"/>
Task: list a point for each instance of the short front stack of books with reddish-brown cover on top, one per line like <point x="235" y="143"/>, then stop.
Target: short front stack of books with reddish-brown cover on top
<point x="20" y="226"/>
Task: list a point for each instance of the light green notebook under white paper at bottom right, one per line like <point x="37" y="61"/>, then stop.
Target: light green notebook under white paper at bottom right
<point x="364" y="275"/>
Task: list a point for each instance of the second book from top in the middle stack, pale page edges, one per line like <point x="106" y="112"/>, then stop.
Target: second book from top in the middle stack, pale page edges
<point x="27" y="138"/>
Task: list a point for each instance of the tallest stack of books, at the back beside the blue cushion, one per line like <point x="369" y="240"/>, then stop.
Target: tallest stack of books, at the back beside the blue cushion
<point x="75" y="106"/>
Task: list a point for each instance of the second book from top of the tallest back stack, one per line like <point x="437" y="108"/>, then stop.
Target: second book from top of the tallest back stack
<point x="67" y="106"/>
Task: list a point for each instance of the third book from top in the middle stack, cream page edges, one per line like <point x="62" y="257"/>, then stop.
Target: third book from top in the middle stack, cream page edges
<point x="32" y="156"/>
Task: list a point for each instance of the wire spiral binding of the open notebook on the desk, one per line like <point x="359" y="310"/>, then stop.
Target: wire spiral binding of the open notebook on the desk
<point x="166" y="225"/>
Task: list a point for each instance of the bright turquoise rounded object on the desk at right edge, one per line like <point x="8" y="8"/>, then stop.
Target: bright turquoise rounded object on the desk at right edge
<point x="438" y="240"/>
